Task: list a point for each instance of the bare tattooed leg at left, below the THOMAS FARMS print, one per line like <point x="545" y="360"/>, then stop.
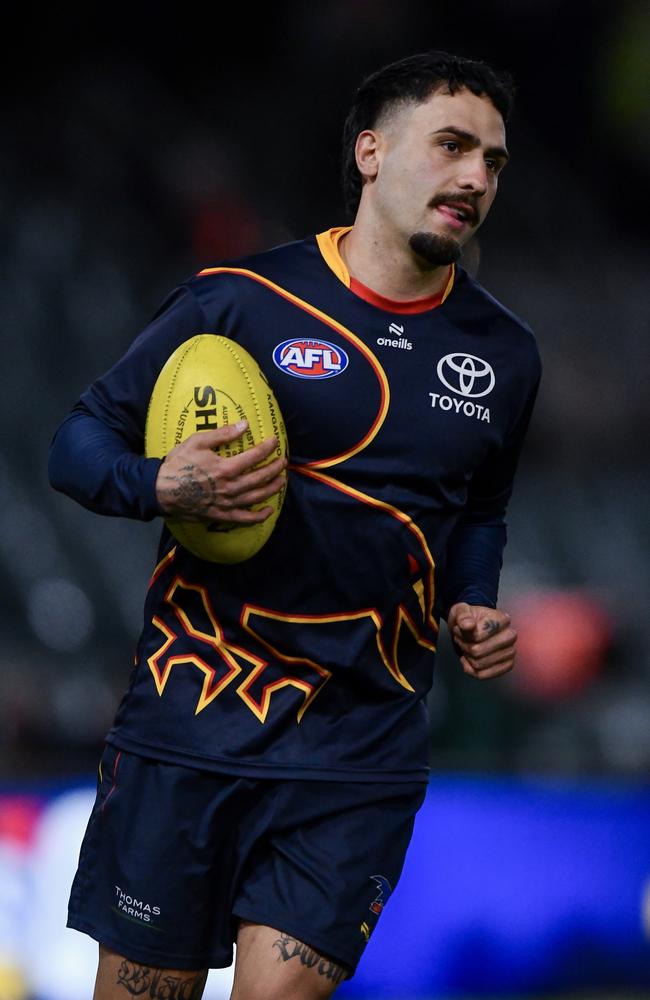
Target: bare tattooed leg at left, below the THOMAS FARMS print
<point x="118" y="979"/>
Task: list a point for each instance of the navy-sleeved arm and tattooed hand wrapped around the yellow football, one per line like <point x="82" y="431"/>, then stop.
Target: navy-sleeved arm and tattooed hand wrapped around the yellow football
<point x="96" y="456"/>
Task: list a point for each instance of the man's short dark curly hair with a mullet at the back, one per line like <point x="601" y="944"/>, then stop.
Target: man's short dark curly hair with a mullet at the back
<point x="413" y="80"/>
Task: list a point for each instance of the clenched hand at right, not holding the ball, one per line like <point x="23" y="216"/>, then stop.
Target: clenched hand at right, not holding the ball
<point x="485" y="639"/>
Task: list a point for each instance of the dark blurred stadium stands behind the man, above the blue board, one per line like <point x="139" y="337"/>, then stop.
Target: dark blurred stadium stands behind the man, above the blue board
<point x="140" y="146"/>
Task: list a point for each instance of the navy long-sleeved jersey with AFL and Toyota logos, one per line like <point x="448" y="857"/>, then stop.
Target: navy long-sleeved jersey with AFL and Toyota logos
<point x="405" y="422"/>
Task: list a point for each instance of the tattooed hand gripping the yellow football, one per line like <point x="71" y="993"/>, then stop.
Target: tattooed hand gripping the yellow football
<point x="197" y="484"/>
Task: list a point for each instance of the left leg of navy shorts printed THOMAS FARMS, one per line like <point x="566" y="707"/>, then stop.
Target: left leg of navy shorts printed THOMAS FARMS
<point x="159" y="863"/>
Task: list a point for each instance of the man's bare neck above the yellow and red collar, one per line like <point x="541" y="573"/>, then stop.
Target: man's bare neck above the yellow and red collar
<point x="391" y="271"/>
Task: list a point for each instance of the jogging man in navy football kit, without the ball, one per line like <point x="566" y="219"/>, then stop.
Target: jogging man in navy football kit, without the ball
<point x="266" y="763"/>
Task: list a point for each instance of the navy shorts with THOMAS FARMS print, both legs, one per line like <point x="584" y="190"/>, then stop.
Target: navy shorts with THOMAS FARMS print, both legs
<point x="173" y="856"/>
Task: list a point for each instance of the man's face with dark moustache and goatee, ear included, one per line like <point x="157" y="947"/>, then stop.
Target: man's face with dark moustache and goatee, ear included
<point x="433" y="174"/>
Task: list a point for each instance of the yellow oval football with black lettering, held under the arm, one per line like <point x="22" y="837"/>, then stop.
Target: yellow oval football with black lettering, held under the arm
<point x="208" y="382"/>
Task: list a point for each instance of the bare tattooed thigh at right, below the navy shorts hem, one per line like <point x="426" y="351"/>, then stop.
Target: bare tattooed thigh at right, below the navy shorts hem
<point x="272" y="965"/>
